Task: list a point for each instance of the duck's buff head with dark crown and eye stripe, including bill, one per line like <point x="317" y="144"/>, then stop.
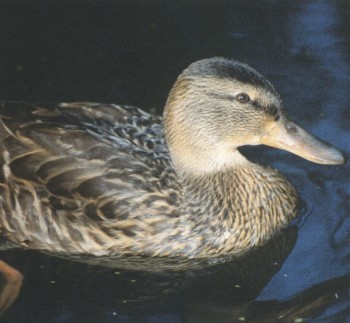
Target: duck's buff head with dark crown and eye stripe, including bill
<point x="218" y="105"/>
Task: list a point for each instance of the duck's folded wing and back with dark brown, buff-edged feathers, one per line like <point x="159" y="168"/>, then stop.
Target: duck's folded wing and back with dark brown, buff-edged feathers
<point x="78" y="177"/>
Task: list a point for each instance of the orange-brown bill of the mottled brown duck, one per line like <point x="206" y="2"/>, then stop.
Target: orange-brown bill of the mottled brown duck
<point x="287" y="135"/>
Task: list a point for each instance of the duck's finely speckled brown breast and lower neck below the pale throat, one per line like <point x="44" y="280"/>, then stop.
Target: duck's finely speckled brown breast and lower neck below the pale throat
<point x="245" y="198"/>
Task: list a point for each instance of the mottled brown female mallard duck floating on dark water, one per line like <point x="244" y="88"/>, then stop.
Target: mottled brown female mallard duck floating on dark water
<point x="105" y="180"/>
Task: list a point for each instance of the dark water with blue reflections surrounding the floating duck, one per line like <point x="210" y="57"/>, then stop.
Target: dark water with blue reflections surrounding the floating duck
<point x="131" y="52"/>
